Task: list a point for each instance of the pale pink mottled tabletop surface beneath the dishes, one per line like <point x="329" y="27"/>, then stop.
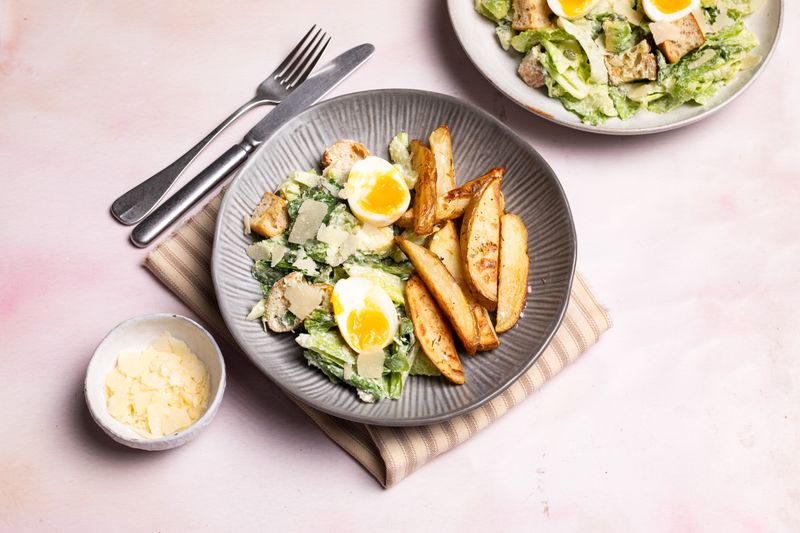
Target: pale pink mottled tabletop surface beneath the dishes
<point x="684" y="418"/>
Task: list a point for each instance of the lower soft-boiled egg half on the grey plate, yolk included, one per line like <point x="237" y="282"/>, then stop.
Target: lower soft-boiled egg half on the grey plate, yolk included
<point x="364" y="313"/>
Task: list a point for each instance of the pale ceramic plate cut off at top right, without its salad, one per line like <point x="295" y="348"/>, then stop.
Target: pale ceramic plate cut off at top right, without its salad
<point x="477" y="37"/>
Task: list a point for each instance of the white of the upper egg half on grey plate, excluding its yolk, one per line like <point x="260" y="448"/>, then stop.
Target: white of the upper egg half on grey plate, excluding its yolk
<point x="360" y="182"/>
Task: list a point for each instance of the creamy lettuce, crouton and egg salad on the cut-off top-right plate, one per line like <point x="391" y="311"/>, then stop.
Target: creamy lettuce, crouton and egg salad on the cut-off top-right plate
<point x="613" y="58"/>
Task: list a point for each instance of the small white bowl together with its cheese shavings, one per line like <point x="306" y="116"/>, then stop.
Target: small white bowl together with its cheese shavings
<point x="155" y="381"/>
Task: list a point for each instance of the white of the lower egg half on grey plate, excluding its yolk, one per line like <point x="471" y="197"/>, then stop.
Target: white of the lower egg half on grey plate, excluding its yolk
<point x="352" y="294"/>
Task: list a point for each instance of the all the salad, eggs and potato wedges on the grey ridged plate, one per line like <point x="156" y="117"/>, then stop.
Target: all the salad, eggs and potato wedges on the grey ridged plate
<point x="365" y="261"/>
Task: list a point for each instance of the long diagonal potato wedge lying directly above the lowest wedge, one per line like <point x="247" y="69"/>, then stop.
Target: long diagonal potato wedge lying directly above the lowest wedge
<point x="445" y="290"/>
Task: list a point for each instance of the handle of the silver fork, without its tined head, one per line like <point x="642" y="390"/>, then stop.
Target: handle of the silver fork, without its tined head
<point x="132" y="206"/>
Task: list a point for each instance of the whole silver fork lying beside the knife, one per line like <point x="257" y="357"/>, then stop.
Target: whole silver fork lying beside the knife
<point x="132" y="206"/>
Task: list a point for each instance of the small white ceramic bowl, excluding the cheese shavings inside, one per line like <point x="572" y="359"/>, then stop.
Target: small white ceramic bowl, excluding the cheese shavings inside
<point x="137" y="334"/>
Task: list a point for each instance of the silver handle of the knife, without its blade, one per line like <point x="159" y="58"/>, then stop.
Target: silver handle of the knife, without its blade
<point x="188" y="195"/>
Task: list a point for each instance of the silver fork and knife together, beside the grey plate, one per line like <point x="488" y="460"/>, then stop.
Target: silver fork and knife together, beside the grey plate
<point x="289" y="86"/>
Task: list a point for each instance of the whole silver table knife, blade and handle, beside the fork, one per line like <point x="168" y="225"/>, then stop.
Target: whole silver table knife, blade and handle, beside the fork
<point x="304" y="96"/>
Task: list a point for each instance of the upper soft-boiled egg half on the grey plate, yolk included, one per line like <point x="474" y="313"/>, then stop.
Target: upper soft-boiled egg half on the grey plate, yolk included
<point x="376" y="192"/>
